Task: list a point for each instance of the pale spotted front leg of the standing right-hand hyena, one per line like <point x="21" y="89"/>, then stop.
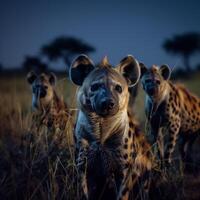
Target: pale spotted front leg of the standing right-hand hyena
<point x="174" y="128"/>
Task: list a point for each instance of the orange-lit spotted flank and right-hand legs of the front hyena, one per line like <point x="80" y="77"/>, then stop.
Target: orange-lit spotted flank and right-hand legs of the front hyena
<point x="137" y="160"/>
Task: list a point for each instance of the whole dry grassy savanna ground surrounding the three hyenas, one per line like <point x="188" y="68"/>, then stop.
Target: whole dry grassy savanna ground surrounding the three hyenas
<point x="30" y="168"/>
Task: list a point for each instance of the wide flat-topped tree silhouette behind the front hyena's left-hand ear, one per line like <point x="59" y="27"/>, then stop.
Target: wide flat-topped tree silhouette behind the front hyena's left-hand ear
<point x="65" y="48"/>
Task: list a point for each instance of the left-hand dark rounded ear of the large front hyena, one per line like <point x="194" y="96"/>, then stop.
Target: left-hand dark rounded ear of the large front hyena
<point x="80" y="69"/>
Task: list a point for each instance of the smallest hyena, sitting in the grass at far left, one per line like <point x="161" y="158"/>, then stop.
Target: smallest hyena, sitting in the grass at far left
<point x="49" y="110"/>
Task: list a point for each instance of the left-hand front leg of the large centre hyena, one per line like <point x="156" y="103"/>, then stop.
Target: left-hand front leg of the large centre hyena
<point x="82" y="168"/>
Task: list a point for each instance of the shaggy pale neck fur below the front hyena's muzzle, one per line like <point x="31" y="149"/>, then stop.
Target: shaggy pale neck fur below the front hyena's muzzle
<point x="100" y="128"/>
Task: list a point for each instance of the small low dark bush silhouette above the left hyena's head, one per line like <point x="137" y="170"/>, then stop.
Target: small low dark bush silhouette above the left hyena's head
<point x="34" y="63"/>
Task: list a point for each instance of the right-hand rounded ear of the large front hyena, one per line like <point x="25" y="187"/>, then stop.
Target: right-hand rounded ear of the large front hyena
<point x="130" y="69"/>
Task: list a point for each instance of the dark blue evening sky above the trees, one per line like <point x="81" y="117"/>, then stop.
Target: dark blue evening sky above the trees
<point x="116" y="28"/>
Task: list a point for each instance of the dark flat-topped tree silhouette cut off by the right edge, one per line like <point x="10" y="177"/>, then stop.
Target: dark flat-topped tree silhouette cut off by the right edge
<point x="185" y="45"/>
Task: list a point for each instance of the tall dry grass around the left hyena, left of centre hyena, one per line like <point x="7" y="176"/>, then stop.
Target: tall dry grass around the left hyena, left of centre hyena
<point x="31" y="165"/>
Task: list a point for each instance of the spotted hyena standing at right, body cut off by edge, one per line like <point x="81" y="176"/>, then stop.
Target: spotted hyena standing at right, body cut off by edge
<point x="170" y="107"/>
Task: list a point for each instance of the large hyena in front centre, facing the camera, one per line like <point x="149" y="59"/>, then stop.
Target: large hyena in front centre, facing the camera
<point x="112" y="152"/>
